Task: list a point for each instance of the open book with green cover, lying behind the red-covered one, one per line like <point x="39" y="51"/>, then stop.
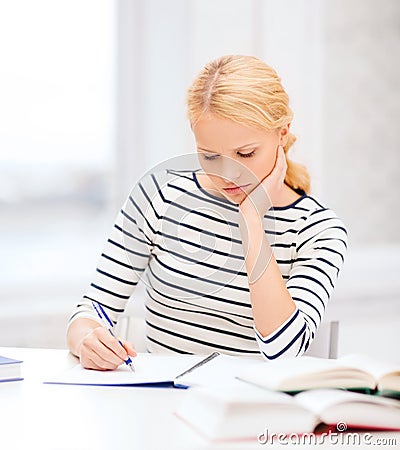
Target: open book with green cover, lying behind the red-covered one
<point x="354" y="372"/>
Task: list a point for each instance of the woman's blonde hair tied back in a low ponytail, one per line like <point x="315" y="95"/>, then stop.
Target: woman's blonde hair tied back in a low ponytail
<point x="246" y="90"/>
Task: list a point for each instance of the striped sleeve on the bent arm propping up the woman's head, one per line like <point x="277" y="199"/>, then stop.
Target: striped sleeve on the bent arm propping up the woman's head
<point x="321" y="246"/>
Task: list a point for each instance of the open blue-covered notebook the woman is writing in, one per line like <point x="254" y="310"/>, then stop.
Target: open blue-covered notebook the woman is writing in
<point x="162" y="369"/>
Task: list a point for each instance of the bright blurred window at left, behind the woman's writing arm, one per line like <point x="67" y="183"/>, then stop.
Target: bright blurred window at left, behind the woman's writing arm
<point x="56" y="136"/>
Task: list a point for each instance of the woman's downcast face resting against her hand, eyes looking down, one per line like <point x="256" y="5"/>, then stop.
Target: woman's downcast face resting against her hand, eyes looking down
<point x="235" y="157"/>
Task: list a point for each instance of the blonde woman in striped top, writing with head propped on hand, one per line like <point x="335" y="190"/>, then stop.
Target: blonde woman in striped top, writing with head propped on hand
<point x="236" y="257"/>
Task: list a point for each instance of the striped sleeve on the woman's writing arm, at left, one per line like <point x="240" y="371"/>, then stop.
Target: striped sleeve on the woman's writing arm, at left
<point x="125" y="255"/>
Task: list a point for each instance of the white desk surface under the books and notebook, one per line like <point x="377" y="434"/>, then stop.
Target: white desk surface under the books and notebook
<point x="36" y="416"/>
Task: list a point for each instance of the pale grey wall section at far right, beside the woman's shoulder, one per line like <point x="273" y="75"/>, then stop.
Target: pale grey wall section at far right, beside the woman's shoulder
<point x="361" y="116"/>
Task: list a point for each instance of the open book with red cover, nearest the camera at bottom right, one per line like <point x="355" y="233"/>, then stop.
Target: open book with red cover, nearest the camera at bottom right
<point x="253" y="413"/>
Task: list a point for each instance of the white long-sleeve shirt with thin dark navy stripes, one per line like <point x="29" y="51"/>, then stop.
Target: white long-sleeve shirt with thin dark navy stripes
<point x="185" y="245"/>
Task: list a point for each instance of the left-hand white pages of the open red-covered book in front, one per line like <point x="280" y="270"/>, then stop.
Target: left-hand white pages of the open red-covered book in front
<point x="227" y="413"/>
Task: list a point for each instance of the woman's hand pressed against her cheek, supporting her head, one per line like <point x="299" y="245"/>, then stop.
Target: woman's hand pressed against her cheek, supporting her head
<point x="260" y="199"/>
